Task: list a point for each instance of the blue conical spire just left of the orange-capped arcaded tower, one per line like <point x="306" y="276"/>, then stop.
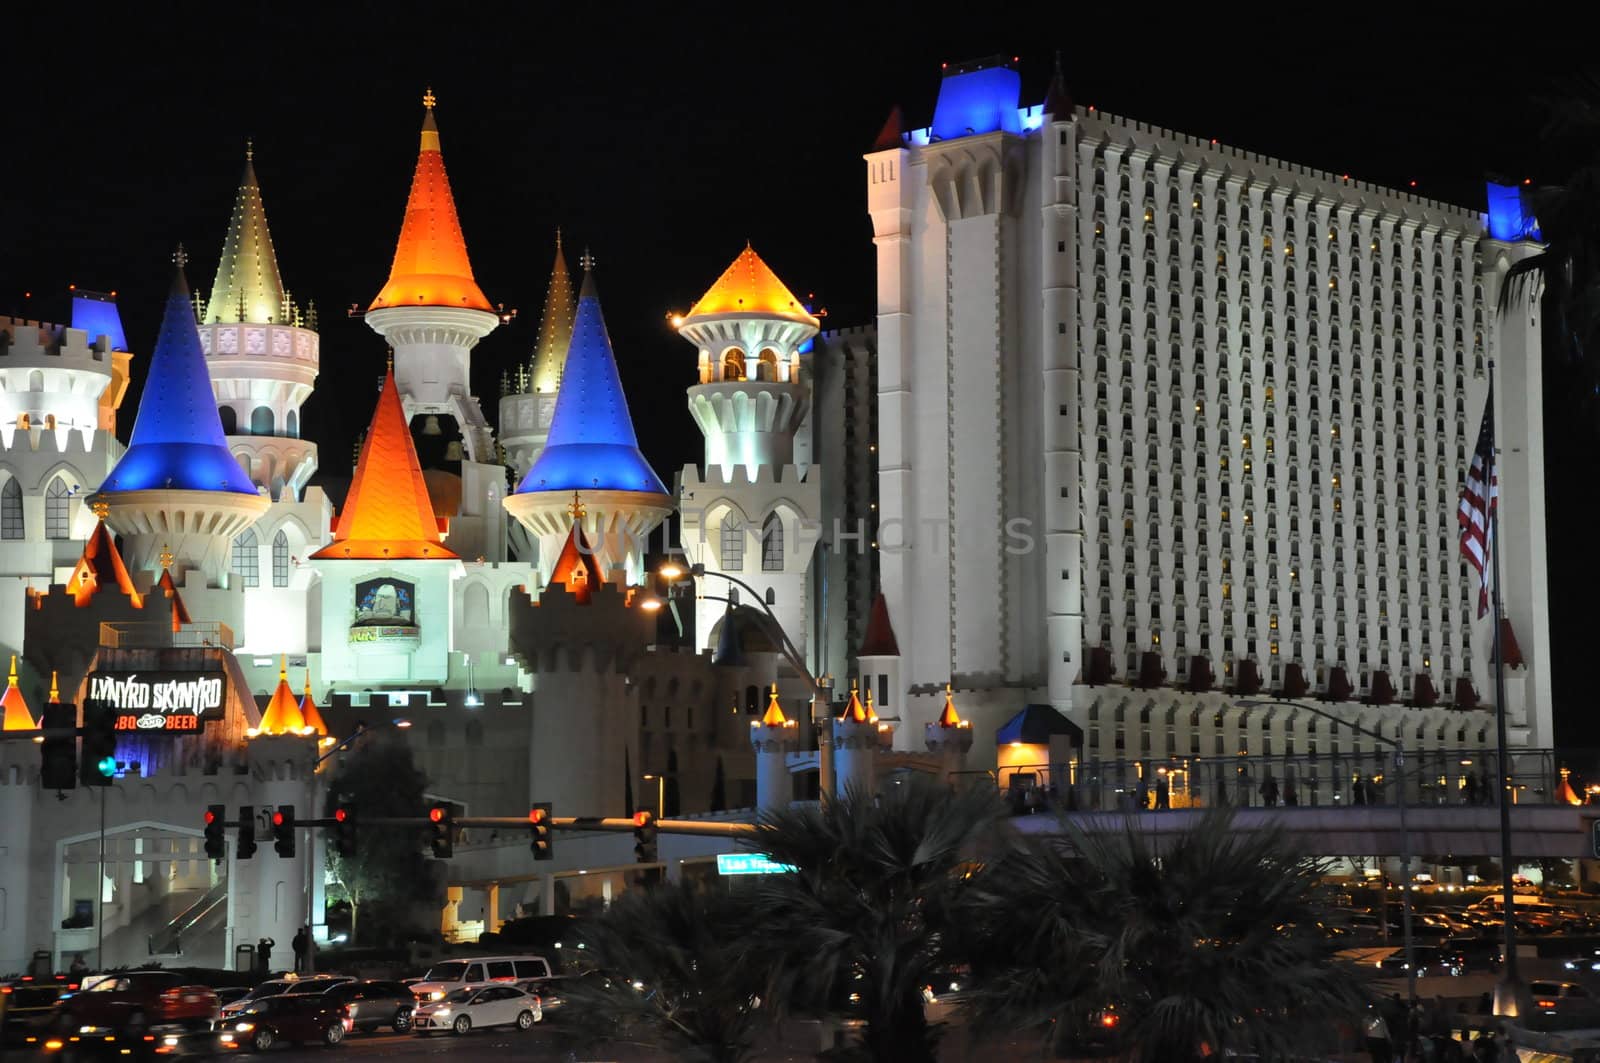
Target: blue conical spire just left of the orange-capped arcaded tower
<point x="593" y="444"/>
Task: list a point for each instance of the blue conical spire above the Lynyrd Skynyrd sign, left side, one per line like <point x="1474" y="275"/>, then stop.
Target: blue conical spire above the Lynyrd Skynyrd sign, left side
<point x="178" y="439"/>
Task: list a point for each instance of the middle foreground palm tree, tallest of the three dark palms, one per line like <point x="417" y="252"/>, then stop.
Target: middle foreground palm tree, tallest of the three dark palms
<point x="871" y="912"/>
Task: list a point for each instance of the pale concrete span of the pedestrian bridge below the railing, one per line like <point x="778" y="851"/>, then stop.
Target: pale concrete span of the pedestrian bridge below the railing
<point x="1556" y="832"/>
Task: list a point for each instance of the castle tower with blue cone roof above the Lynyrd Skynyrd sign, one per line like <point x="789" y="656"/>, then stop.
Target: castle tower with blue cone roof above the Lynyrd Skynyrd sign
<point x="178" y="487"/>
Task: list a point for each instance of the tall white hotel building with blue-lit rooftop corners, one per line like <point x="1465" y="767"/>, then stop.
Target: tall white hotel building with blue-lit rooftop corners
<point x="1190" y="409"/>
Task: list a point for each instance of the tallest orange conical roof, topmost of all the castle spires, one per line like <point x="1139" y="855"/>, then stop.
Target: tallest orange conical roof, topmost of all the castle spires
<point x="431" y="263"/>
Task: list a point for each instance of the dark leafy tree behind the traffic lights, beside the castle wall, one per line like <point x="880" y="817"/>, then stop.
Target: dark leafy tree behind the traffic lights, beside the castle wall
<point x="380" y="779"/>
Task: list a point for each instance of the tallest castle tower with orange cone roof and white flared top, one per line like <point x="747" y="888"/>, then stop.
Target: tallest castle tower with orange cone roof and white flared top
<point x="433" y="315"/>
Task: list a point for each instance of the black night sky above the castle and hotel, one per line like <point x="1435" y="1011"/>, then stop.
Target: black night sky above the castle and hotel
<point x="663" y="138"/>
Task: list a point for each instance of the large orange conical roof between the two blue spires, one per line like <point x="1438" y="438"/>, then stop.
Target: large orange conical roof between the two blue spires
<point x="388" y="513"/>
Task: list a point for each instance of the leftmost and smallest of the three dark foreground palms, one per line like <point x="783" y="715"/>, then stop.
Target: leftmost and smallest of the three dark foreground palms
<point x="665" y="969"/>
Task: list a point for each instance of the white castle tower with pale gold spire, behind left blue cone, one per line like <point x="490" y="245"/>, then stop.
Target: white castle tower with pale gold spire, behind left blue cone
<point x="262" y="356"/>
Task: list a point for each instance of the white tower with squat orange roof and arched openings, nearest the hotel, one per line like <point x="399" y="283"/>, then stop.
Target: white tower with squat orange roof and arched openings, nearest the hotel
<point x="751" y="513"/>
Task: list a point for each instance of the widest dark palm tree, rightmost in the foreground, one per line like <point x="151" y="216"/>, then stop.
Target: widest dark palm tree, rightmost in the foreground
<point x="1207" y="949"/>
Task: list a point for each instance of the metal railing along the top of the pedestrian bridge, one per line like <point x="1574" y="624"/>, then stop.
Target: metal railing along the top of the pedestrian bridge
<point x="1434" y="777"/>
